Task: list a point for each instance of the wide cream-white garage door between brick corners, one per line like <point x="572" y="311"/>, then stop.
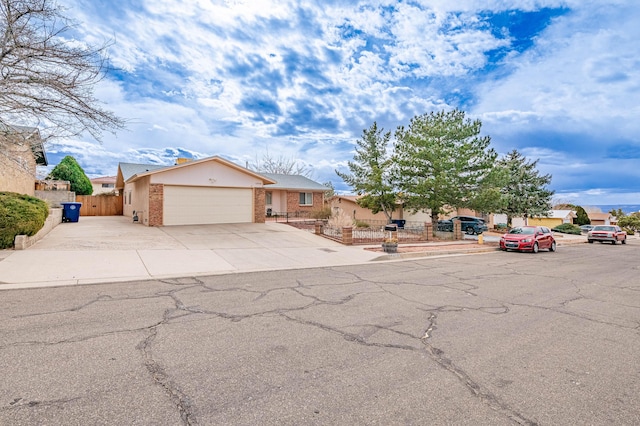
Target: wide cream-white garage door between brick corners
<point x="189" y="205"/>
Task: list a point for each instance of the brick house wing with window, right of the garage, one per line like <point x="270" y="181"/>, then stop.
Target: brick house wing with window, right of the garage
<point x="292" y="194"/>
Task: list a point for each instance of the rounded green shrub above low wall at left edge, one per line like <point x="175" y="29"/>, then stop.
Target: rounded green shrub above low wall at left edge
<point x="20" y="214"/>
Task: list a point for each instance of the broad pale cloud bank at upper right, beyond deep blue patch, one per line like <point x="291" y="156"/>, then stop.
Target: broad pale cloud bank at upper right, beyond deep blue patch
<point x="574" y="80"/>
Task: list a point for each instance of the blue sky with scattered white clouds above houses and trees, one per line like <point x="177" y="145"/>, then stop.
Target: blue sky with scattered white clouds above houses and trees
<point x="557" y="80"/>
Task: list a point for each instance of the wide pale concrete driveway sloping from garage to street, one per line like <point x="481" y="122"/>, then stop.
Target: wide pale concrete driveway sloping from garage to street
<point x="107" y="249"/>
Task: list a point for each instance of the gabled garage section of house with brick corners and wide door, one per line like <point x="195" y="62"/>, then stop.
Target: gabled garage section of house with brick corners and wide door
<point x="207" y="191"/>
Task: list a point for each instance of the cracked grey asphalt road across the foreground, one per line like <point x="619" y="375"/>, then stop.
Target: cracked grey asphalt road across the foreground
<point x="491" y="339"/>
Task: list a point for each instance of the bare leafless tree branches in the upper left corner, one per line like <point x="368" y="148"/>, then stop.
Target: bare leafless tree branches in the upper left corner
<point x="47" y="80"/>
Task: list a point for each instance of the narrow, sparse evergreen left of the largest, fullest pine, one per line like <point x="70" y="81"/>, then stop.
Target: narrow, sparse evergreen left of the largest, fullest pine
<point x="370" y="174"/>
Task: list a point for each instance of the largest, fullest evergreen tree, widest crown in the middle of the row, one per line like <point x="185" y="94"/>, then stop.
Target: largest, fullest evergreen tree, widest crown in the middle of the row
<point x="442" y="162"/>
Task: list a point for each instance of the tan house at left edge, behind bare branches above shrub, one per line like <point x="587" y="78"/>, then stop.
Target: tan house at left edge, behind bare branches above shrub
<point x="21" y="150"/>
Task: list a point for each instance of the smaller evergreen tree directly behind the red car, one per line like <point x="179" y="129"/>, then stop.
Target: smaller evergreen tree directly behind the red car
<point x="524" y="192"/>
